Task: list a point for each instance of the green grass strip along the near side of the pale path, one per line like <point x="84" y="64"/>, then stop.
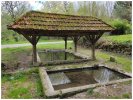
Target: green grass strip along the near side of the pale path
<point x="12" y="54"/>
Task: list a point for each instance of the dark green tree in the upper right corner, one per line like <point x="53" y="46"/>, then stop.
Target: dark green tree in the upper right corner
<point x="123" y="10"/>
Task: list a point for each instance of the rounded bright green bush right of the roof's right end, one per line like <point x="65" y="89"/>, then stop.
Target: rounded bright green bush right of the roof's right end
<point x="122" y="27"/>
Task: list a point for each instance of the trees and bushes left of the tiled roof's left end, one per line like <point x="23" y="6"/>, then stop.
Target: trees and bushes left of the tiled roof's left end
<point x="11" y="10"/>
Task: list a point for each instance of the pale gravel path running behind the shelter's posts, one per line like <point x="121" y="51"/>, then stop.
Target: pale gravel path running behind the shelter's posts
<point x="28" y="44"/>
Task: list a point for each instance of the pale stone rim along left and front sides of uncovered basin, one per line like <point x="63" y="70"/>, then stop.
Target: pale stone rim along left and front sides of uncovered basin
<point x="50" y="92"/>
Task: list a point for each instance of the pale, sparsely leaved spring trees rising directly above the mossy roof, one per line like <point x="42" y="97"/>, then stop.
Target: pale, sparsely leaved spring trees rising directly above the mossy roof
<point x="99" y="9"/>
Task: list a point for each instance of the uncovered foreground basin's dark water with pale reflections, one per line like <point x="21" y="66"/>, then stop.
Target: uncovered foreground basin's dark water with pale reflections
<point x="83" y="76"/>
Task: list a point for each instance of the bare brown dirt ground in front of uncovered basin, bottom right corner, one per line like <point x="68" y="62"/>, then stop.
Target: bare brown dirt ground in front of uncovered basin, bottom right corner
<point x="115" y="91"/>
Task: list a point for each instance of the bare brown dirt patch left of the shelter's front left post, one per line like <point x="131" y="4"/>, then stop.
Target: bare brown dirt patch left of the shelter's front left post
<point x="22" y="62"/>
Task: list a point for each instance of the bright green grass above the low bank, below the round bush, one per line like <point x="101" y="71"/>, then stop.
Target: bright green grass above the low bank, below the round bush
<point x="119" y="38"/>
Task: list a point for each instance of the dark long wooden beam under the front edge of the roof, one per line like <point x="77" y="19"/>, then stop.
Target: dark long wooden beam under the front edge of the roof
<point x="59" y="33"/>
